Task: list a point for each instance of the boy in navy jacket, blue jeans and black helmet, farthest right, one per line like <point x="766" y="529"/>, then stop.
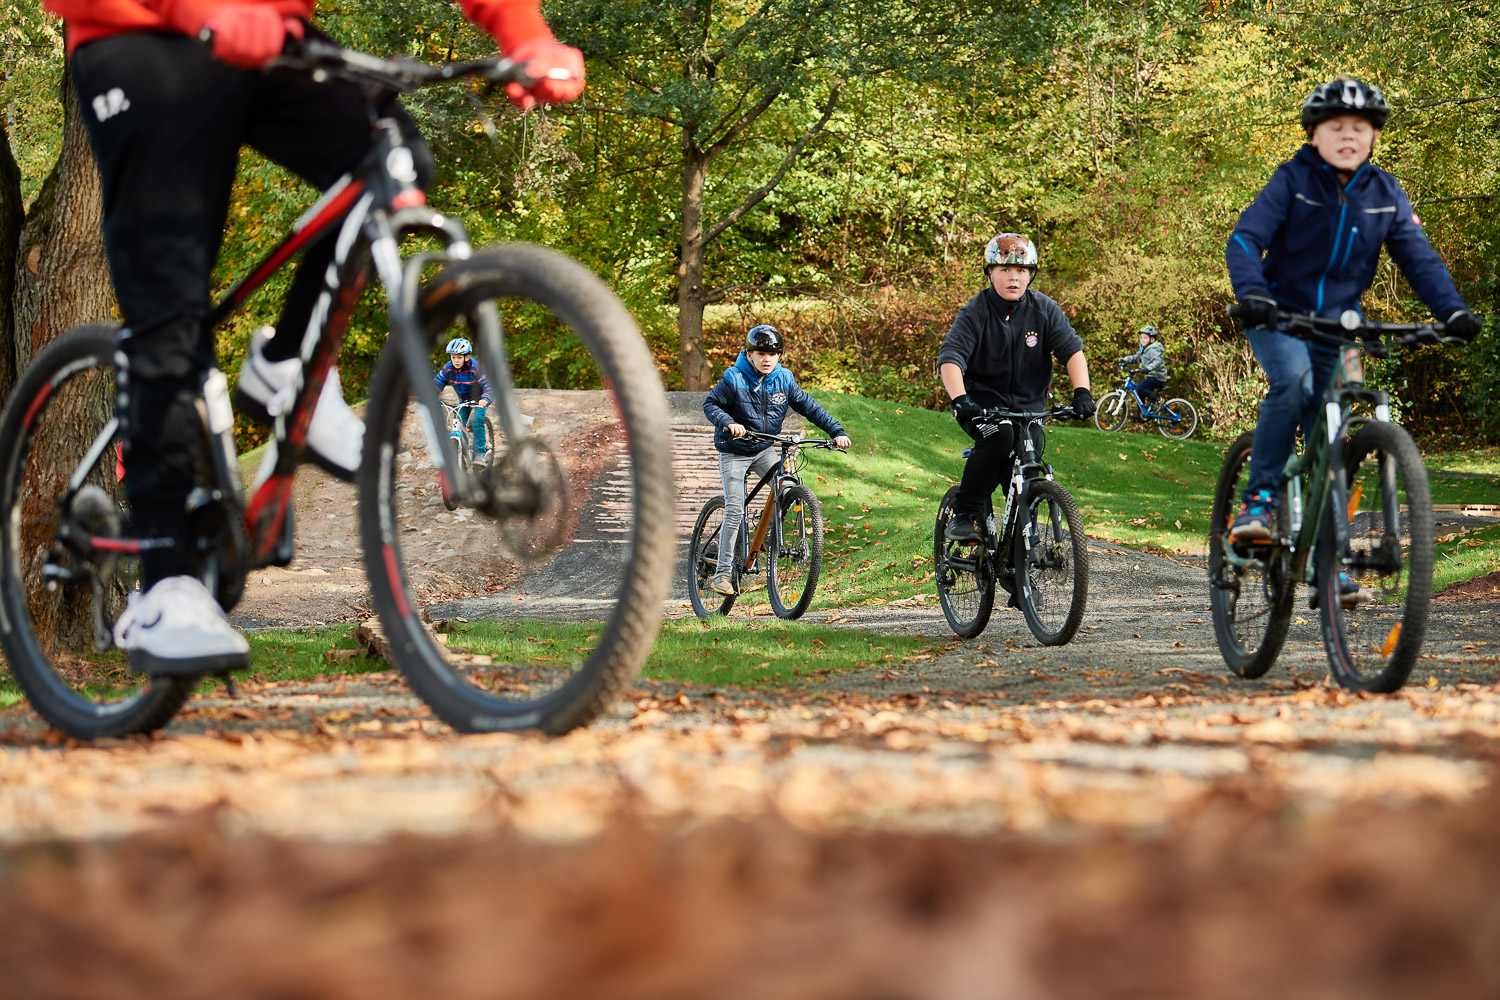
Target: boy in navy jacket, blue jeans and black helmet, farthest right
<point x="1310" y="244"/>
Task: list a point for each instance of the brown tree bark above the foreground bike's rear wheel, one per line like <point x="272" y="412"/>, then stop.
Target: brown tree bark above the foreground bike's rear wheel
<point x="62" y="278"/>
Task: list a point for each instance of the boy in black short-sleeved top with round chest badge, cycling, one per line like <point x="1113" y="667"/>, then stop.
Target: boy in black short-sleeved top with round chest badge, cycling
<point x="1000" y="355"/>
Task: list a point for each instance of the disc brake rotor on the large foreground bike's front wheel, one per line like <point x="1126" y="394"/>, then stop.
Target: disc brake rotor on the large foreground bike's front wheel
<point x="532" y="500"/>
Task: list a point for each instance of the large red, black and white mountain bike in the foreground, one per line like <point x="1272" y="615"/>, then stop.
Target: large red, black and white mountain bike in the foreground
<point x="68" y="554"/>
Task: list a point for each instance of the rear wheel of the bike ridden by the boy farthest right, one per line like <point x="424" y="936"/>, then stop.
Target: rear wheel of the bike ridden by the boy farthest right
<point x="1250" y="605"/>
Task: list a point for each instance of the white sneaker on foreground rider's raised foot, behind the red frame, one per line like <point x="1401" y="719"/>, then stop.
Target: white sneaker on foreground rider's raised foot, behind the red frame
<point x="266" y="392"/>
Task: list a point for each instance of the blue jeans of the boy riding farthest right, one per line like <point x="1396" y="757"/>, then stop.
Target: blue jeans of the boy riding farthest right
<point x="1298" y="373"/>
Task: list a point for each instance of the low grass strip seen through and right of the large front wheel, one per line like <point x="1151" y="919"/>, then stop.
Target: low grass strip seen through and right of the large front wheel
<point x="719" y="651"/>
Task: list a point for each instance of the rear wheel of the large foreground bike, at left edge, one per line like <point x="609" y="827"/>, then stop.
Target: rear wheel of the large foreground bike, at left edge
<point x="59" y="431"/>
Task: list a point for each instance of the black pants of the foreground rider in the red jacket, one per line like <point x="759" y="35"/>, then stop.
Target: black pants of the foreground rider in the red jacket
<point x="167" y="124"/>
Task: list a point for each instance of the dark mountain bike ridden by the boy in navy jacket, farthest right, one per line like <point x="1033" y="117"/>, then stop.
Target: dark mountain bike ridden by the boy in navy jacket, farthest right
<point x="1354" y="506"/>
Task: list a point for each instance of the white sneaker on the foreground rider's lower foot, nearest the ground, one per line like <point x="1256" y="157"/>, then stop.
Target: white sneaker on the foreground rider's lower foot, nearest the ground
<point x="178" y="629"/>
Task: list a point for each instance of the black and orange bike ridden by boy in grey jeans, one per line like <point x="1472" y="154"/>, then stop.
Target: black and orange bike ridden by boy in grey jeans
<point x="790" y="534"/>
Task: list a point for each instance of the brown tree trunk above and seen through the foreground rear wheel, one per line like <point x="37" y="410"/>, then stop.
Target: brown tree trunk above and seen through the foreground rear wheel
<point x="62" y="281"/>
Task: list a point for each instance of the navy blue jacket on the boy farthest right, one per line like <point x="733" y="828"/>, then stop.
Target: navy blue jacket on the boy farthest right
<point x="1313" y="245"/>
